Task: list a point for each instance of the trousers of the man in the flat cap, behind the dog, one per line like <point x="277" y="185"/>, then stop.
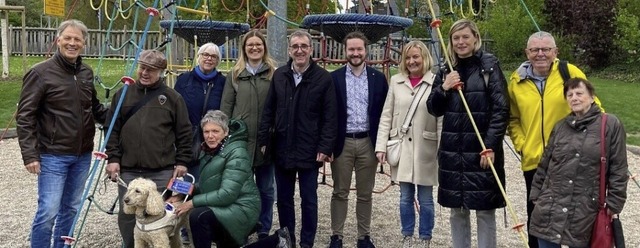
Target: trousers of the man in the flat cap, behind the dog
<point x="127" y="222"/>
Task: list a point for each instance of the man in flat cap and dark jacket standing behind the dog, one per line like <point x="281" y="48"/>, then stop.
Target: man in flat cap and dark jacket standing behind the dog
<point x="151" y="137"/>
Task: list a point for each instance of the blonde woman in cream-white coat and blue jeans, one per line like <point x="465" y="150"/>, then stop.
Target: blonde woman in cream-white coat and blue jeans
<point x="418" y="166"/>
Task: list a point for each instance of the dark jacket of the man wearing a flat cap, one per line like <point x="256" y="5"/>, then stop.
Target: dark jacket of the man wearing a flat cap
<point x="157" y="137"/>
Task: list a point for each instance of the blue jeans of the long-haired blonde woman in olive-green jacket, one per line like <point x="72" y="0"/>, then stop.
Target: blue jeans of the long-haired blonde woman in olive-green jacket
<point x="265" y="180"/>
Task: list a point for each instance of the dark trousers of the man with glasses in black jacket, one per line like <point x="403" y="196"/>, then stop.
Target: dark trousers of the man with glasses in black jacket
<point x="308" y="184"/>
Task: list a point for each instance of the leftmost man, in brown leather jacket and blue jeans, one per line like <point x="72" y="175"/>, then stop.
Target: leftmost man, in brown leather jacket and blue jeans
<point x="55" y="126"/>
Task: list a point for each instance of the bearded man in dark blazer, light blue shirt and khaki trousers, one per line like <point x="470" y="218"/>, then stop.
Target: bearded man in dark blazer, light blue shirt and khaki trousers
<point x="361" y="91"/>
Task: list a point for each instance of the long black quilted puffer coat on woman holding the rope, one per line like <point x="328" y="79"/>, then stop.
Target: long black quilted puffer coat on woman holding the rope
<point x="463" y="183"/>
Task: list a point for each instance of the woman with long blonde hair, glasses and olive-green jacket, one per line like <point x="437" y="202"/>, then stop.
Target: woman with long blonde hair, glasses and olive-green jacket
<point x="243" y="99"/>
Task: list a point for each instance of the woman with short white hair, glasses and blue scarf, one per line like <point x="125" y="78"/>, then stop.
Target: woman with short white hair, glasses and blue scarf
<point x="200" y="86"/>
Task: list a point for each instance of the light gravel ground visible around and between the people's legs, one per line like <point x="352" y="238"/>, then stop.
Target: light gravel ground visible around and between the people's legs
<point x="100" y="229"/>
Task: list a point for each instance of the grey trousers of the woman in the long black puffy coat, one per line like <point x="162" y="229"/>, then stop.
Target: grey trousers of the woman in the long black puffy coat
<point x="461" y="228"/>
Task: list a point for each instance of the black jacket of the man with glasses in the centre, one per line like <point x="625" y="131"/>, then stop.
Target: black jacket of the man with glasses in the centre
<point x="304" y="117"/>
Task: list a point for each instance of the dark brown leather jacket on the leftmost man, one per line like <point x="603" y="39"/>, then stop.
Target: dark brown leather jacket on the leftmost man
<point x="57" y="109"/>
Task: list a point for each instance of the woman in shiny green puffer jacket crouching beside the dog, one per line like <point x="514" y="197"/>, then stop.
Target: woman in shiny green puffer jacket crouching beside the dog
<point x="225" y="205"/>
